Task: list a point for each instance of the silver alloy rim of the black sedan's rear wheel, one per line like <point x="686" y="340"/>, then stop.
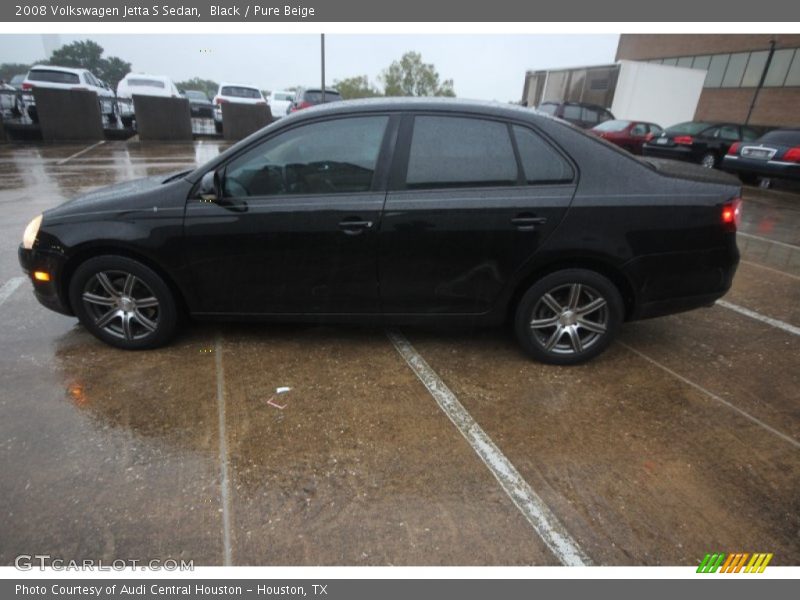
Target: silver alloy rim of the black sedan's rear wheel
<point x="569" y="319"/>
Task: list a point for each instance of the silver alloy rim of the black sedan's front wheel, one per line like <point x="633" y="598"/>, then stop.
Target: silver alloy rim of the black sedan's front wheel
<point x="121" y="304"/>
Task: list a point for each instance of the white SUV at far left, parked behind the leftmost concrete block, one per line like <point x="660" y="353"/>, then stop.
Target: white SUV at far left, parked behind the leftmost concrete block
<point x="64" y="78"/>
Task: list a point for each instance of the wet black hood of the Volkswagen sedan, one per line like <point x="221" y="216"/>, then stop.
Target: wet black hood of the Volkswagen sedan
<point x="135" y="195"/>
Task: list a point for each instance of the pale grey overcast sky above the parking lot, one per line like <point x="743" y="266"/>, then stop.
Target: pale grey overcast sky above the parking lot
<point x="487" y="67"/>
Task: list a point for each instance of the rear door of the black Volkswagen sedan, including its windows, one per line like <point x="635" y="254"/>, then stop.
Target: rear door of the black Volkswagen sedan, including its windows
<point x="471" y="199"/>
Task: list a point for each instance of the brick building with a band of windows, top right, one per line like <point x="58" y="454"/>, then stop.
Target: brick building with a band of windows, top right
<point x="736" y="64"/>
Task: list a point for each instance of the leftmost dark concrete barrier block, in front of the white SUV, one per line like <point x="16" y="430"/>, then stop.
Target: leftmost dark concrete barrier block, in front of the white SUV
<point x="67" y="115"/>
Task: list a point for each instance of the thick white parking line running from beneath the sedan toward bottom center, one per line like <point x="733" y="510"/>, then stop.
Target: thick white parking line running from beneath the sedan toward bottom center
<point x="543" y="521"/>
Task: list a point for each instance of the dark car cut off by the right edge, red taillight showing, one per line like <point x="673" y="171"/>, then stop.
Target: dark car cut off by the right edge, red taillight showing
<point x="775" y="155"/>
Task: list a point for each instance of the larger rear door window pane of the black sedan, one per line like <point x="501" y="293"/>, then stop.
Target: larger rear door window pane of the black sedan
<point x="456" y="152"/>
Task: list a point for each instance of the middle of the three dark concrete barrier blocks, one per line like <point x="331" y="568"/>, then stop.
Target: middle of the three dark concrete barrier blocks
<point x="164" y="119"/>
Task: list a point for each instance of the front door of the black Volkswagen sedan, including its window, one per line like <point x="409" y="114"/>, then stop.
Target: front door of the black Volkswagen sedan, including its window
<point x="295" y="230"/>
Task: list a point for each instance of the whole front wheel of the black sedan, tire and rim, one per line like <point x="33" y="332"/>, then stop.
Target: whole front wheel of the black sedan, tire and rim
<point x="123" y="303"/>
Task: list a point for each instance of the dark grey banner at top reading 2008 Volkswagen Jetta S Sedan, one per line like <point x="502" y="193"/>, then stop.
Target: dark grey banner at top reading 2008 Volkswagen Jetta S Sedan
<point x="261" y="11"/>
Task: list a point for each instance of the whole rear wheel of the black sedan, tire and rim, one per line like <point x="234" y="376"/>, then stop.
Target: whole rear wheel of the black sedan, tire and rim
<point x="551" y="326"/>
